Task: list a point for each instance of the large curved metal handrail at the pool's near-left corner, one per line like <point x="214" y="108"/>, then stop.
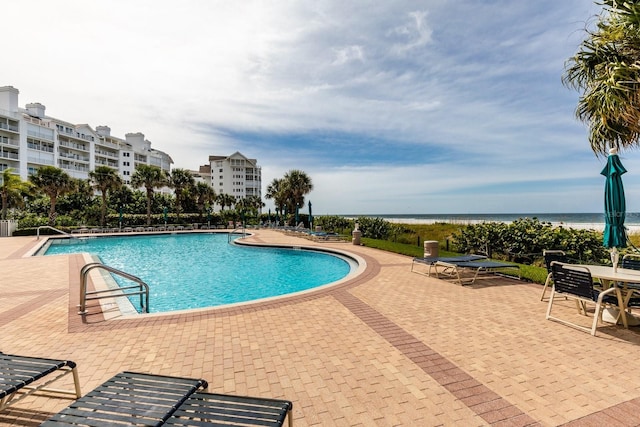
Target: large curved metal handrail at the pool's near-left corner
<point x="143" y="288"/>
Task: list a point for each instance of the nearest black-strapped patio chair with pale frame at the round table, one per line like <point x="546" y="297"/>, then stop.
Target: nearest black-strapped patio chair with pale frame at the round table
<point x="576" y="282"/>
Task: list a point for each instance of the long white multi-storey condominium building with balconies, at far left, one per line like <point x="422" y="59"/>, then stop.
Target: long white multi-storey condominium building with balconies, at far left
<point x="30" y="139"/>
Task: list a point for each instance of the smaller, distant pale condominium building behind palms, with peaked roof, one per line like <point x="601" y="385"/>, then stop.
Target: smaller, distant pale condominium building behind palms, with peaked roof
<point x="235" y="175"/>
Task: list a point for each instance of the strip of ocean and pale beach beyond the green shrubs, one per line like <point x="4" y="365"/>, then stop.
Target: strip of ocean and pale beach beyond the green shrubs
<point x="574" y="220"/>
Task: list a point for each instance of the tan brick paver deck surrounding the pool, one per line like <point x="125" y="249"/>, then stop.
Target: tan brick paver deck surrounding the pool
<point x="386" y="348"/>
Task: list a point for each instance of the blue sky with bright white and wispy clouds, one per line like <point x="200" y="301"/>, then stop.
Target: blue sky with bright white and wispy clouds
<point x="390" y="107"/>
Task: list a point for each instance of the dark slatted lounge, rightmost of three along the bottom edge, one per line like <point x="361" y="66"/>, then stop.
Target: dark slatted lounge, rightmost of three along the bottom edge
<point x="208" y="409"/>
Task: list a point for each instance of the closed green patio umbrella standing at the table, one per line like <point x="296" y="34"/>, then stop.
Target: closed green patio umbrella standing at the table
<point x="615" y="234"/>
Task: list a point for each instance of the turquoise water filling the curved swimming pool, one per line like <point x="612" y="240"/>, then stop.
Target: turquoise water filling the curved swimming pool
<point x="197" y="270"/>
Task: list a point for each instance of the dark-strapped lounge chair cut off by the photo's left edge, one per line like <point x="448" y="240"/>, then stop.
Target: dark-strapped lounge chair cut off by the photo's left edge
<point x="21" y="376"/>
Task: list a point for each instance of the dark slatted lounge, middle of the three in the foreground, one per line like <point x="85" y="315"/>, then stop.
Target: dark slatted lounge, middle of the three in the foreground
<point x="127" y="399"/>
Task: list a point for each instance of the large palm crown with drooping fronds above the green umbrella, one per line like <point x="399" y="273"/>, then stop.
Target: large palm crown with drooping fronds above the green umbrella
<point x="606" y="70"/>
